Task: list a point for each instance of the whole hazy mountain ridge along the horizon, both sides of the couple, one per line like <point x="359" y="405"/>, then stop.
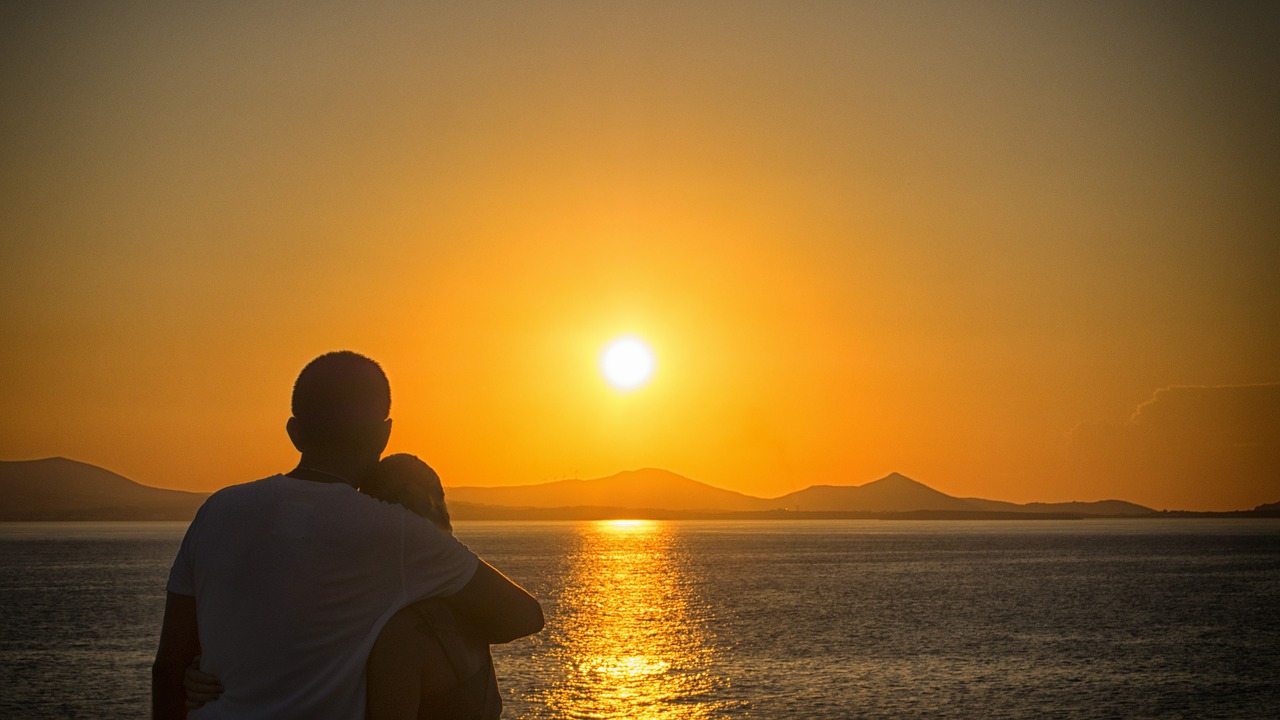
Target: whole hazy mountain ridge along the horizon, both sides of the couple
<point x="58" y="489"/>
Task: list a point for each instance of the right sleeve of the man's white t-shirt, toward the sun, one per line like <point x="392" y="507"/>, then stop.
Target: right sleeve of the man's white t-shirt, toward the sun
<point x="435" y="564"/>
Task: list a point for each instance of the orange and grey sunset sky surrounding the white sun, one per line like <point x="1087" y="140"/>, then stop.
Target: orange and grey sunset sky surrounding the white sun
<point x="1026" y="252"/>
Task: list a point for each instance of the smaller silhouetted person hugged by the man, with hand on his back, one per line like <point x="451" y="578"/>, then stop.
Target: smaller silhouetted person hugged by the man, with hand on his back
<point x="426" y="664"/>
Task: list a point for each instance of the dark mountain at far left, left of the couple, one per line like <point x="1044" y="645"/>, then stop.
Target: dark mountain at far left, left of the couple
<point x="57" y="489"/>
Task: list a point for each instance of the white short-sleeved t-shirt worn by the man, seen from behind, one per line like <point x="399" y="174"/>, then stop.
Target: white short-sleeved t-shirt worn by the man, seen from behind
<point x="292" y="581"/>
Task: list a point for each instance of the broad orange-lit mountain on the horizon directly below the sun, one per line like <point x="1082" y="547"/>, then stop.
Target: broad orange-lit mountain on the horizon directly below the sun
<point x="648" y="489"/>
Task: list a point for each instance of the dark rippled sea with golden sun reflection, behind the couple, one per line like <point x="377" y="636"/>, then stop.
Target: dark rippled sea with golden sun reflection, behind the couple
<point x="840" y="619"/>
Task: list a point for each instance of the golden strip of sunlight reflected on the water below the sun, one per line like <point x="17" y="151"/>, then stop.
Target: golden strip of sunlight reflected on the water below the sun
<point x="632" y="636"/>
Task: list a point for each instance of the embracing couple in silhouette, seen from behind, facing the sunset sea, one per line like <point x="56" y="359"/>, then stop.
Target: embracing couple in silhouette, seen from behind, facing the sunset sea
<point x="284" y="587"/>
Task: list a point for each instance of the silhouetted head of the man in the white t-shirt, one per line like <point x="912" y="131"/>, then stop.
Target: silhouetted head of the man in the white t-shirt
<point x="341" y="407"/>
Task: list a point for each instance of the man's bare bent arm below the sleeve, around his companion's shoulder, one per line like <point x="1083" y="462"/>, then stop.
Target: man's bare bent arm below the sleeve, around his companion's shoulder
<point x="495" y="608"/>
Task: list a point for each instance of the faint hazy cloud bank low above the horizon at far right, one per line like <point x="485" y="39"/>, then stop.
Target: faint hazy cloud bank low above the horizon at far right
<point x="1190" y="448"/>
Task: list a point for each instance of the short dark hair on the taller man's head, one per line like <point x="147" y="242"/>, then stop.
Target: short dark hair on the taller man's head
<point x="341" y="394"/>
